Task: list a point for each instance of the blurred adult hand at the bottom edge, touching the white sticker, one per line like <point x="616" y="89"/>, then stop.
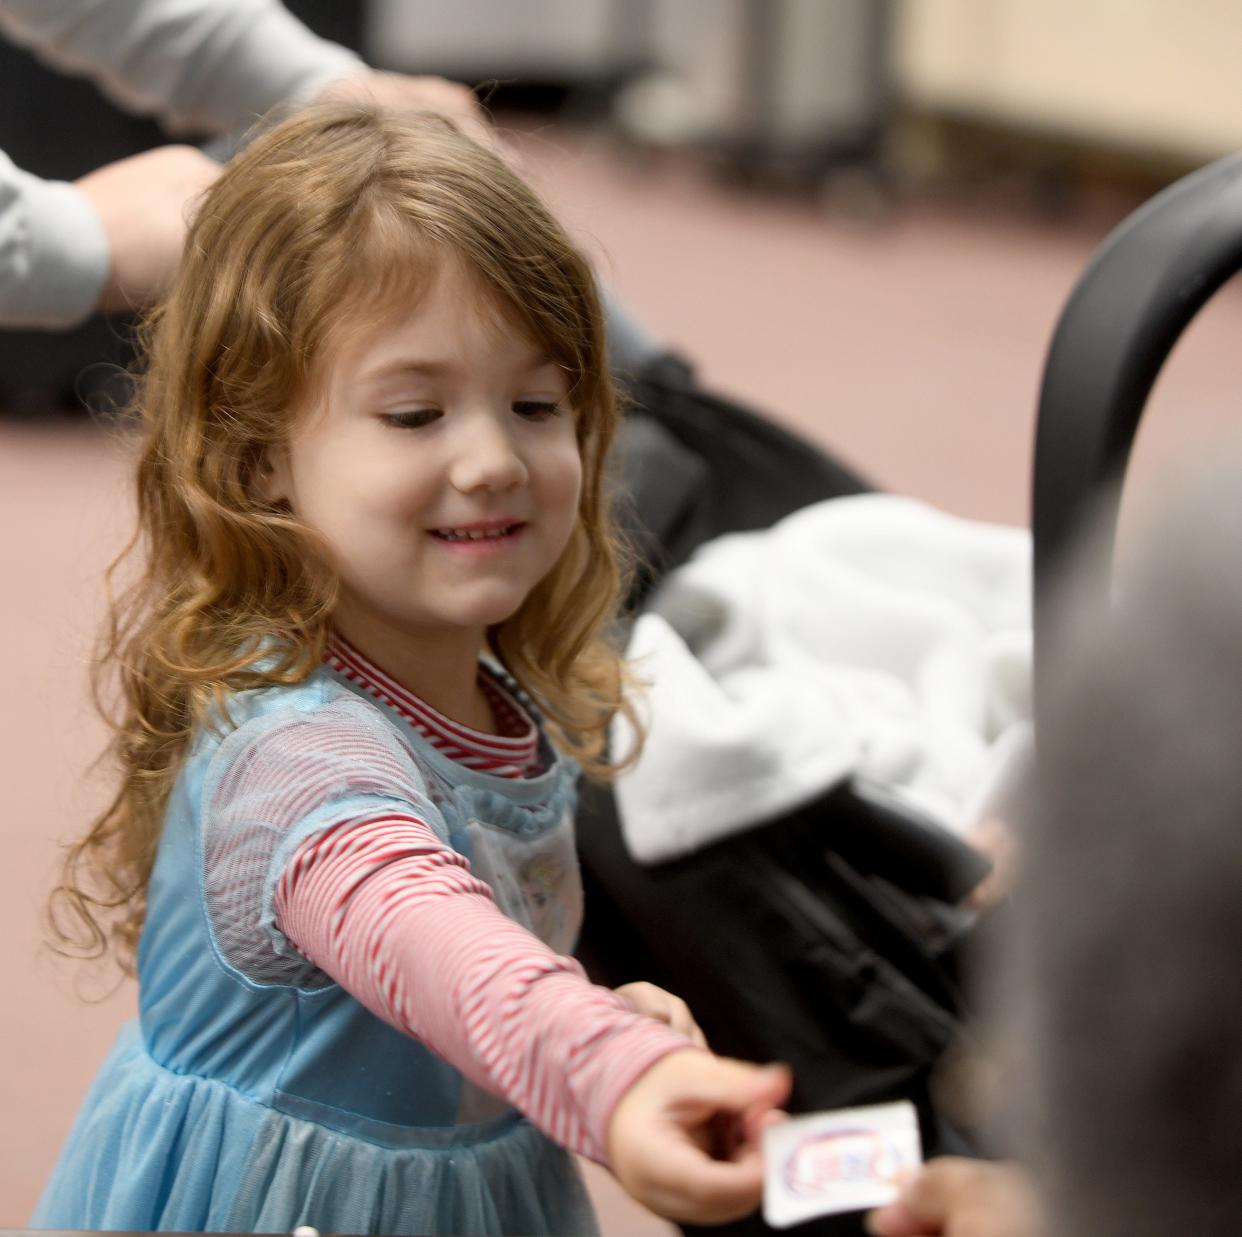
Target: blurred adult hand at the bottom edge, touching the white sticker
<point x="956" y="1198"/>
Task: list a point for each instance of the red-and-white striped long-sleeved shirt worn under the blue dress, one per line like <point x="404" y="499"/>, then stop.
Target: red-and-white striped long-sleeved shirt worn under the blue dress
<point x="394" y="916"/>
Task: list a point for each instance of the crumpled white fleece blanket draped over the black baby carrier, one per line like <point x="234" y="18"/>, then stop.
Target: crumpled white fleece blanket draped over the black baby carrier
<point x="874" y="637"/>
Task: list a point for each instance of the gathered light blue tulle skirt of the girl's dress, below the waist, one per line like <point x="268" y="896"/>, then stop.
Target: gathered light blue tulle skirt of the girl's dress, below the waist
<point x="153" y="1149"/>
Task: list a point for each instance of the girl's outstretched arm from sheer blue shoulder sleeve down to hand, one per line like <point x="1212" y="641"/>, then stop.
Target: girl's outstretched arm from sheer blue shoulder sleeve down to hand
<point x="376" y="899"/>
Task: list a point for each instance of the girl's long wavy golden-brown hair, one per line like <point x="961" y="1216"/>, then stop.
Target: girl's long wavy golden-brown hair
<point x="329" y="218"/>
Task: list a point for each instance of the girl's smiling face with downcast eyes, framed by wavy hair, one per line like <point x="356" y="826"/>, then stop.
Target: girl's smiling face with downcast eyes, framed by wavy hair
<point x="439" y="458"/>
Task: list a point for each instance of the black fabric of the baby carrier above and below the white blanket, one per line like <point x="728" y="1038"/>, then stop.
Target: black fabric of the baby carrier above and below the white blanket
<point x="825" y="940"/>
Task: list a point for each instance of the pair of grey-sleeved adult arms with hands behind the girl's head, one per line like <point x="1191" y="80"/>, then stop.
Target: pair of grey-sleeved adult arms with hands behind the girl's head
<point x="112" y="240"/>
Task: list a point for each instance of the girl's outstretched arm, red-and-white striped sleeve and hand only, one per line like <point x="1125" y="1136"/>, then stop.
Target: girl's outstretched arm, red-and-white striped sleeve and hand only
<point x="392" y="913"/>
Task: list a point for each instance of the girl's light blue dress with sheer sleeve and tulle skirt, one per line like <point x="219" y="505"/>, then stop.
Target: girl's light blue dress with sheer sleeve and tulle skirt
<point x="254" y="1095"/>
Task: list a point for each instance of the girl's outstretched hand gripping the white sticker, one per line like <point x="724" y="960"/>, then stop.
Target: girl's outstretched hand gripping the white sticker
<point x="685" y="1140"/>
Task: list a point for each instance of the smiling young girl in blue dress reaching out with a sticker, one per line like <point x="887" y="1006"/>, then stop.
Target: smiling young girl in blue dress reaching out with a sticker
<point x="362" y="668"/>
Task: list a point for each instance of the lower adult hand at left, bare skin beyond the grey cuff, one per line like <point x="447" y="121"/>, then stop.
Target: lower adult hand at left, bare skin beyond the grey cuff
<point x="145" y="203"/>
